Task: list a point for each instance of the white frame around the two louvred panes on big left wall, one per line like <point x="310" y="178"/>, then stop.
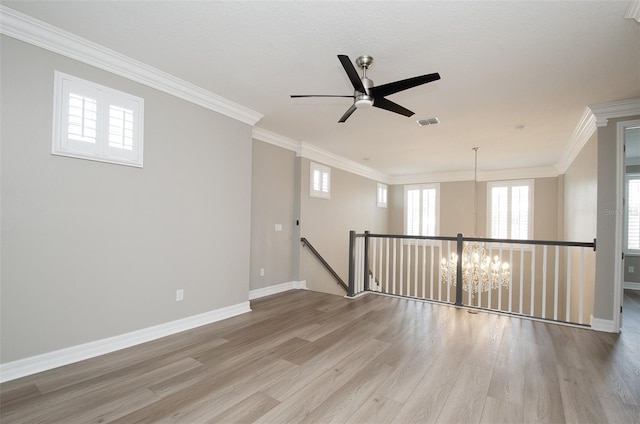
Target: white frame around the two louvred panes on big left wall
<point x="63" y="145"/>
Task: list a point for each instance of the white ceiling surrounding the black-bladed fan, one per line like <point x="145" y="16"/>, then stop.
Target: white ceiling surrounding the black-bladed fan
<point x="503" y="64"/>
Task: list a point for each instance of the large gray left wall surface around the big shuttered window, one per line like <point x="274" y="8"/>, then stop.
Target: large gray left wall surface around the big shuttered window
<point x="92" y="250"/>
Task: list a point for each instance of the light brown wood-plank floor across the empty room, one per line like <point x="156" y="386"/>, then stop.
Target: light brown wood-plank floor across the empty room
<point x="302" y="356"/>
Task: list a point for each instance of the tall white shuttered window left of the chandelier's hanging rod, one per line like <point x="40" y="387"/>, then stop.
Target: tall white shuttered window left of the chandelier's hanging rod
<point x="422" y="209"/>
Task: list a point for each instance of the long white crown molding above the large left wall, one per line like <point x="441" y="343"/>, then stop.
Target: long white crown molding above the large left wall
<point x="30" y="30"/>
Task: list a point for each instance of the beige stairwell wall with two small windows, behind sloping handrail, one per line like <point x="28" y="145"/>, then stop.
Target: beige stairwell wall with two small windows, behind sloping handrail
<point x="326" y="224"/>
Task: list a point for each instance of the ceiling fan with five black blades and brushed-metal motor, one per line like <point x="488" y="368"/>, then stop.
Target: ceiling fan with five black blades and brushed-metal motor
<point x="366" y="94"/>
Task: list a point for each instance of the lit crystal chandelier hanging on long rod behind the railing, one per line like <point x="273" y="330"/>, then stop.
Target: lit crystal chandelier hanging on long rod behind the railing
<point x="479" y="271"/>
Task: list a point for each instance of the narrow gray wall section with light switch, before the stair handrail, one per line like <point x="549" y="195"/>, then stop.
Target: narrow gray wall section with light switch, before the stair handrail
<point x="272" y="202"/>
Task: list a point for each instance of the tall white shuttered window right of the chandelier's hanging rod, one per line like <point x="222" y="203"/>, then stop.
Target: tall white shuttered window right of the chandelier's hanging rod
<point x="510" y="209"/>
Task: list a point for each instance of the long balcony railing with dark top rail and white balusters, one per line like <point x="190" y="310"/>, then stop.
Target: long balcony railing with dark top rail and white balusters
<point x="548" y="280"/>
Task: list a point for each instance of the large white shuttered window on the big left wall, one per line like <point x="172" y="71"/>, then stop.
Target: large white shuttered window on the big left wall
<point x="94" y="122"/>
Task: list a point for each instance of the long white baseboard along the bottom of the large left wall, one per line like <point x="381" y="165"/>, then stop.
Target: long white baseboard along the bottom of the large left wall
<point x="35" y="364"/>
